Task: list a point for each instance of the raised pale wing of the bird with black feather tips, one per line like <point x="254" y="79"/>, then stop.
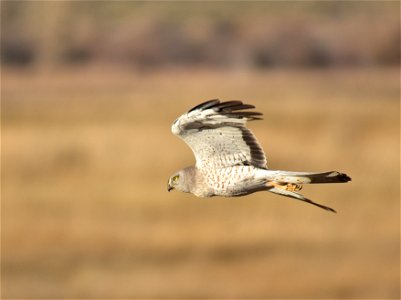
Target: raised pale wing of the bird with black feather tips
<point x="216" y="133"/>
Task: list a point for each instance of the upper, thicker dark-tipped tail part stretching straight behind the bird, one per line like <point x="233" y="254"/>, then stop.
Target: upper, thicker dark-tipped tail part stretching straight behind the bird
<point x="305" y="178"/>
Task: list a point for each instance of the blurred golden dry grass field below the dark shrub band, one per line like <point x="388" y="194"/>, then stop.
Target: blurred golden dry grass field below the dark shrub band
<point x="85" y="212"/>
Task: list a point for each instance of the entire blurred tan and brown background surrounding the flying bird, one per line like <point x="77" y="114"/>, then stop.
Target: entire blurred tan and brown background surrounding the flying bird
<point x="89" y="91"/>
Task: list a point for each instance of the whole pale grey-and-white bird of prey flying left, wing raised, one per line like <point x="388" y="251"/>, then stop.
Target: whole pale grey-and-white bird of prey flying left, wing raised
<point x="229" y="160"/>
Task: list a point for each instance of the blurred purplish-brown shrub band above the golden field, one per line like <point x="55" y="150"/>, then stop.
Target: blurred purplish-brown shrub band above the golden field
<point x="142" y="36"/>
